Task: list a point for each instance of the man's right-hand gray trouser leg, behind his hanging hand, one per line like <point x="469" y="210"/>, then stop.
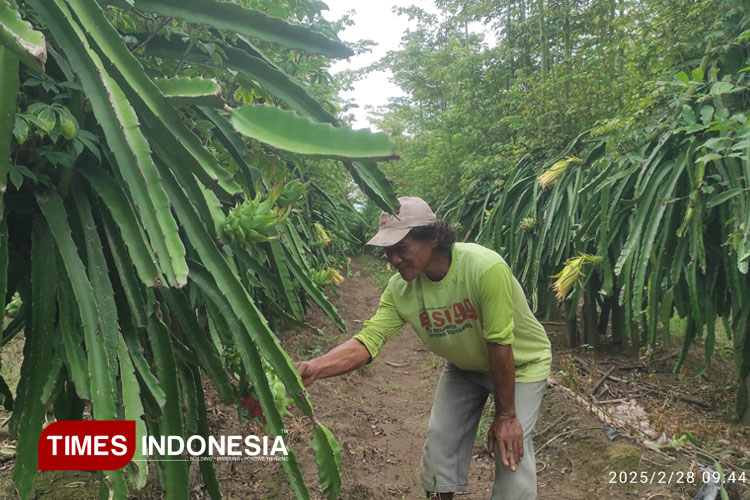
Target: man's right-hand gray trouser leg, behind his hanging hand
<point x="521" y="483"/>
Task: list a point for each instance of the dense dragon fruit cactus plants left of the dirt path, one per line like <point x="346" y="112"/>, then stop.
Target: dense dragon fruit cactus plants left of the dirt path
<point x="128" y="194"/>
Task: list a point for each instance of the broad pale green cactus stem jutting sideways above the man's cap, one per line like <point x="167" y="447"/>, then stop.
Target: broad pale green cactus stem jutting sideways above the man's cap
<point x="288" y="131"/>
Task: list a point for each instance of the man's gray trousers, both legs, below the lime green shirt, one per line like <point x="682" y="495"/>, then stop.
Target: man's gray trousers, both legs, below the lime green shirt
<point x="459" y="400"/>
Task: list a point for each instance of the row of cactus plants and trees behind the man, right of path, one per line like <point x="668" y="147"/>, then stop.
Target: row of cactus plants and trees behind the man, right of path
<point x="612" y="169"/>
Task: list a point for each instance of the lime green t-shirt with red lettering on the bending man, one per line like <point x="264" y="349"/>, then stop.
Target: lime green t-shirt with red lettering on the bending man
<point x="478" y="301"/>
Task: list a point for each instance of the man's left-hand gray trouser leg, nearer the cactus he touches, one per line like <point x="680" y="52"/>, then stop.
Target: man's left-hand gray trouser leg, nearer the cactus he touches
<point x="454" y="418"/>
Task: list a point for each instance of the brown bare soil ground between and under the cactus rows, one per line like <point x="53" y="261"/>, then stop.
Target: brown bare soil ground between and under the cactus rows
<point x="379" y="415"/>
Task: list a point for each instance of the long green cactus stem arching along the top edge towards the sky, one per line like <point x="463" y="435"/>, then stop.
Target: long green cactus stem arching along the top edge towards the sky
<point x="253" y="23"/>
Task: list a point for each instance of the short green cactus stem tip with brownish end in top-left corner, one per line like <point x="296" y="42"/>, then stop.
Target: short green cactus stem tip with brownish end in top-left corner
<point x="21" y="38"/>
